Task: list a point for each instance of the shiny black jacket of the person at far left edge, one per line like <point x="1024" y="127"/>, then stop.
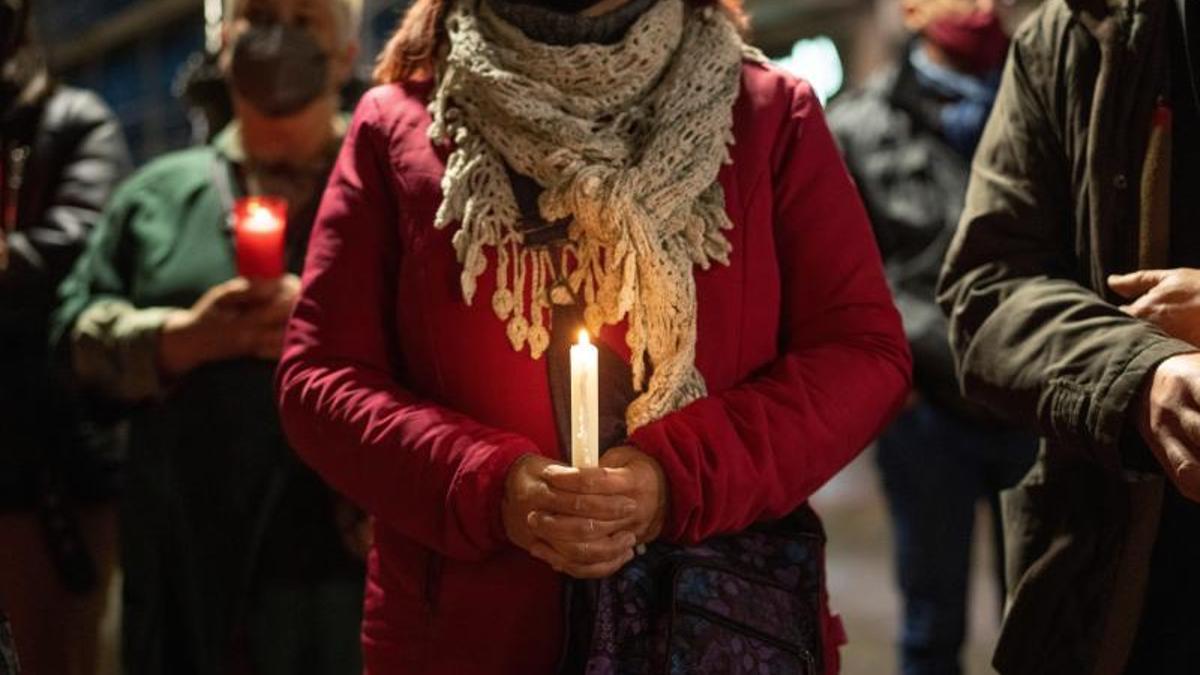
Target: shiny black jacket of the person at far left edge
<point x="77" y="158"/>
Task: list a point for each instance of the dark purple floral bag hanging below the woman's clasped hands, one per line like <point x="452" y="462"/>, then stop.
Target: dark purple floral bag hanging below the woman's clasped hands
<point x="746" y="604"/>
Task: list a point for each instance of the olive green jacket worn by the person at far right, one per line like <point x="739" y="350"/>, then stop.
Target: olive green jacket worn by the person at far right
<point x="1065" y="193"/>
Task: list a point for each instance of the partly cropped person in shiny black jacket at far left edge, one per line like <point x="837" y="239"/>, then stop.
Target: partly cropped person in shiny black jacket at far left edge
<point x="62" y="156"/>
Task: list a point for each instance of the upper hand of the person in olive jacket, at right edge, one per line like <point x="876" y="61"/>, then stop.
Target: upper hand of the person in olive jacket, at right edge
<point x="1168" y="298"/>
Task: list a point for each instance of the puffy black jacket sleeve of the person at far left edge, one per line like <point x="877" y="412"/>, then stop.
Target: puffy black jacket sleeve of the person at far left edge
<point x="44" y="252"/>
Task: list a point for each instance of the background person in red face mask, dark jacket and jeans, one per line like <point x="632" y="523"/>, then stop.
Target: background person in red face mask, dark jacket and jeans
<point x="908" y="138"/>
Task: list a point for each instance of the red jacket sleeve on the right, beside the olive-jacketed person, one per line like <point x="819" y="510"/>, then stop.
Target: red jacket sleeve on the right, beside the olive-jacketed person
<point x="760" y="450"/>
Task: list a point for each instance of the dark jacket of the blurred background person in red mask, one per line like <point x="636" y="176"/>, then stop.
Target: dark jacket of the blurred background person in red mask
<point x="913" y="183"/>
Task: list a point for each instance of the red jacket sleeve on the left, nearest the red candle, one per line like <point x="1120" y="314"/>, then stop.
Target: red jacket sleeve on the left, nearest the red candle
<point x="429" y="473"/>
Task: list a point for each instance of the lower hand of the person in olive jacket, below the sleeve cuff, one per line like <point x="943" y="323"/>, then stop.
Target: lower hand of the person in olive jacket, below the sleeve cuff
<point x="1169" y="421"/>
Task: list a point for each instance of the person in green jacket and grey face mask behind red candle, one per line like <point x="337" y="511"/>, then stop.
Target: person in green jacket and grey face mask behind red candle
<point x="236" y="555"/>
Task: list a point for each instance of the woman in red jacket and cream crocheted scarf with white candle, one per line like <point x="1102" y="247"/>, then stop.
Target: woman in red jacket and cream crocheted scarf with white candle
<point x="529" y="168"/>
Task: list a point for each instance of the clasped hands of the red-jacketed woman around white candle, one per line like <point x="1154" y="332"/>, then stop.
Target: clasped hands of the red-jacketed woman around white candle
<point x="584" y="536"/>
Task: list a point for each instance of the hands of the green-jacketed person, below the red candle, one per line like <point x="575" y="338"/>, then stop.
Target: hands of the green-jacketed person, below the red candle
<point x="232" y="320"/>
